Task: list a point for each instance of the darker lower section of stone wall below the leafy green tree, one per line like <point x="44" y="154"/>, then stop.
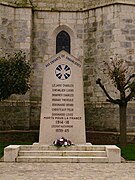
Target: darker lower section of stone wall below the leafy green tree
<point x="14" y="115"/>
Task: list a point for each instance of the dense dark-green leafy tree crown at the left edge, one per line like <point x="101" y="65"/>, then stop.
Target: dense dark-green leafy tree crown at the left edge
<point x="14" y="75"/>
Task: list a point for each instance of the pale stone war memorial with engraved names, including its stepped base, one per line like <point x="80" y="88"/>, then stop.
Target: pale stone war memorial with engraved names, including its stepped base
<point x="62" y="116"/>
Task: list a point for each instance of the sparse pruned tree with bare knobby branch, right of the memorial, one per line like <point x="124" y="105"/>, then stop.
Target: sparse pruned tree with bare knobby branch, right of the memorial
<point x="124" y="80"/>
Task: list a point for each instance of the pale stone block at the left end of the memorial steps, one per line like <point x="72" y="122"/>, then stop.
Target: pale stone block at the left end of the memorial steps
<point x="11" y="153"/>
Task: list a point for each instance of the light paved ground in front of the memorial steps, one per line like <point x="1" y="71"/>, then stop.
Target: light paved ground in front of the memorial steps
<point x="67" y="171"/>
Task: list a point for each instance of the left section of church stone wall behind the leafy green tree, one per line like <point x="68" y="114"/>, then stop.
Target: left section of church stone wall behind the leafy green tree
<point x="15" y="34"/>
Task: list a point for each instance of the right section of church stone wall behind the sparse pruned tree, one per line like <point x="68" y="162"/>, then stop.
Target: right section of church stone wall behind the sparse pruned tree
<point x="108" y="30"/>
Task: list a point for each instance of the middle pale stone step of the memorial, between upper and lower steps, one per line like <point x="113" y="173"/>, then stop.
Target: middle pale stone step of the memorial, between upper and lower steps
<point x="63" y="153"/>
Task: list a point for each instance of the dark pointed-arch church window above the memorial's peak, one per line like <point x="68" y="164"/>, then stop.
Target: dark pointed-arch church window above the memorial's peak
<point x="63" y="42"/>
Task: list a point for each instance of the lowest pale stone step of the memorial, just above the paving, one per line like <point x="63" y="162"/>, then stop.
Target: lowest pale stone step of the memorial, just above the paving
<point x="58" y="159"/>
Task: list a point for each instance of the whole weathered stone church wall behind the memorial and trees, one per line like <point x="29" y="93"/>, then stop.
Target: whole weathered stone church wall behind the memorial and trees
<point x="95" y="34"/>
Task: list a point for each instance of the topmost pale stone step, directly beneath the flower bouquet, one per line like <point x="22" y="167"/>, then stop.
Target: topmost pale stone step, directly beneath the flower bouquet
<point x="69" y="148"/>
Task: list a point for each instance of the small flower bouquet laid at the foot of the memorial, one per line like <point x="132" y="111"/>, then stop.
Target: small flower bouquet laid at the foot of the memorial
<point x="62" y="142"/>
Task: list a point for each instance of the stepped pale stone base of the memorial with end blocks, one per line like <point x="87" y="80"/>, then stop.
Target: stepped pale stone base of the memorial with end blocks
<point x="73" y="154"/>
